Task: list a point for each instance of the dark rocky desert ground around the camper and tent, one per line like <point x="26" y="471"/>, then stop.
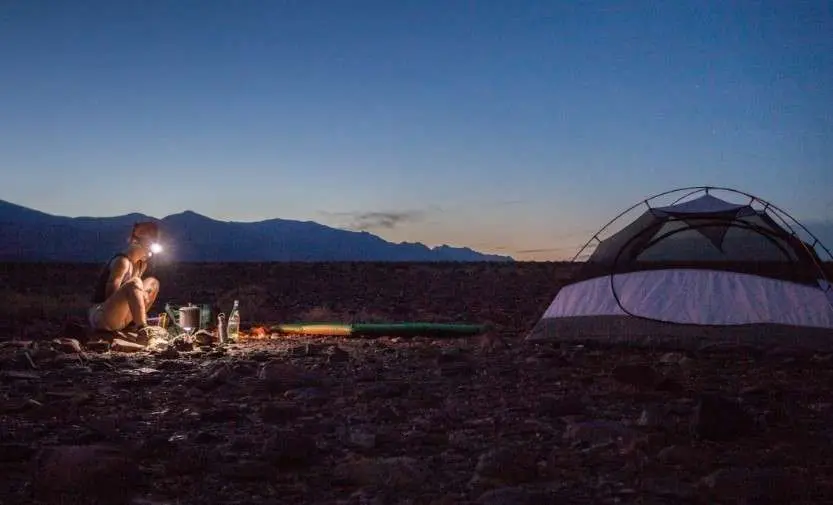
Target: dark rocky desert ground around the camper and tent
<point x="484" y="419"/>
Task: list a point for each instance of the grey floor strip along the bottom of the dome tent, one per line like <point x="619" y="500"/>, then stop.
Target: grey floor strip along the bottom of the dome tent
<point x="624" y="330"/>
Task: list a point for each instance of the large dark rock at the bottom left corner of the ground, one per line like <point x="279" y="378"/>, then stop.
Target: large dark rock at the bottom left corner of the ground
<point x="92" y="473"/>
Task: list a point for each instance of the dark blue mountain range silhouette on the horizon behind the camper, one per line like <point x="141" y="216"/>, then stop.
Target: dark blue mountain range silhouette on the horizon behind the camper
<point x="33" y="236"/>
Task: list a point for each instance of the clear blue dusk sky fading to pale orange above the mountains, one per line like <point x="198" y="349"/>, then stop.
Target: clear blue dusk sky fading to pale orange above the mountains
<point x="516" y="127"/>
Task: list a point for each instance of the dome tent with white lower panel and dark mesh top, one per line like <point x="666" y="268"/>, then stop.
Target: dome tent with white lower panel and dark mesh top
<point x="698" y="270"/>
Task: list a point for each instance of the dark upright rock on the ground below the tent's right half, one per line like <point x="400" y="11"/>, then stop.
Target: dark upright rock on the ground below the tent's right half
<point x="718" y="418"/>
